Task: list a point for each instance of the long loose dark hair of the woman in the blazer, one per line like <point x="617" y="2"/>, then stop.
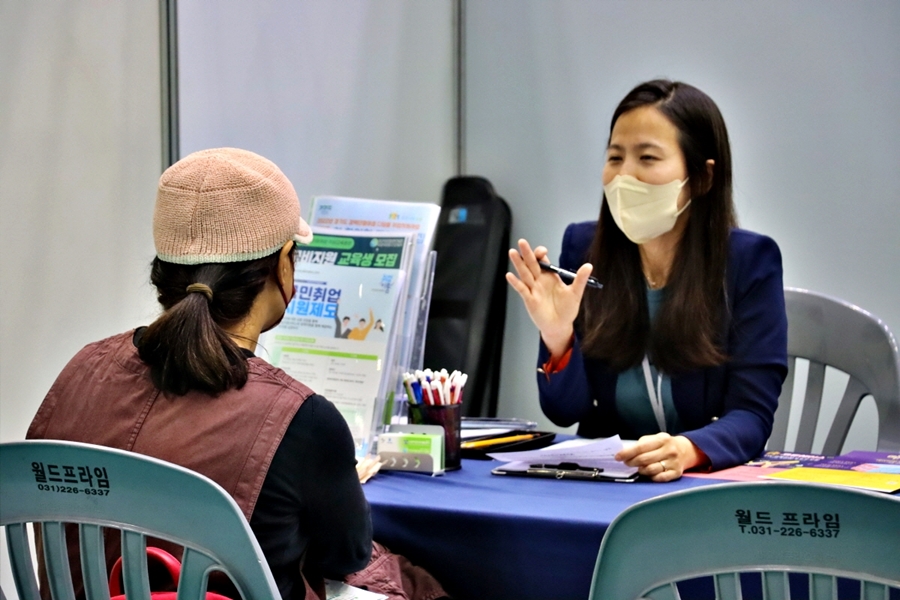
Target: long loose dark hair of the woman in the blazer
<point x="686" y="333"/>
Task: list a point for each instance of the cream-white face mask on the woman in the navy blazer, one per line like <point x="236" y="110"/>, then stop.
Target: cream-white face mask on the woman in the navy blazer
<point x="643" y="211"/>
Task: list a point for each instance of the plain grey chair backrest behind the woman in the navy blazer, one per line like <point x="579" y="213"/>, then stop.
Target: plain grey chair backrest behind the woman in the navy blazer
<point x="830" y="332"/>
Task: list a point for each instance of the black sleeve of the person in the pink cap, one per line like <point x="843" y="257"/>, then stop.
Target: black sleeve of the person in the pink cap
<point x="312" y="501"/>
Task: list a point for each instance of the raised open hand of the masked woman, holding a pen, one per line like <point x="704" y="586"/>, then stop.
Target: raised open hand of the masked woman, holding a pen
<point x="551" y="303"/>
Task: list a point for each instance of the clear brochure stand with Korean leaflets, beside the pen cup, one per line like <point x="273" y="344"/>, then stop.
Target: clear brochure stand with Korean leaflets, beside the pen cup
<point x="352" y="327"/>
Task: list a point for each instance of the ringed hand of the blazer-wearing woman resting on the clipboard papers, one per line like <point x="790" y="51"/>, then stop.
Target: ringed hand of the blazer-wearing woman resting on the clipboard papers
<point x="661" y="456"/>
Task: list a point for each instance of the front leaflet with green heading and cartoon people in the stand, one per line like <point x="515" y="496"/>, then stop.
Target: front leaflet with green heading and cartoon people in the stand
<point x="337" y="335"/>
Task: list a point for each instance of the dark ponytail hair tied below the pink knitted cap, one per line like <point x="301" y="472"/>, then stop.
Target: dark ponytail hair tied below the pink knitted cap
<point x="186" y="347"/>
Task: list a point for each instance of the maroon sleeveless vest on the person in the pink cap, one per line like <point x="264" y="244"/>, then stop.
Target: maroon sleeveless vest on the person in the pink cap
<point x="105" y="396"/>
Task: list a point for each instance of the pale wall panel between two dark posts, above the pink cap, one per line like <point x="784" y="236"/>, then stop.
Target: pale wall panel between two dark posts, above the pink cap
<point x="349" y="98"/>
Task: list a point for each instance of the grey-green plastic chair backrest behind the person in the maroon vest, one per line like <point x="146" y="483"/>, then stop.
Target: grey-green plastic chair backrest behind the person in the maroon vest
<point x="52" y="483"/>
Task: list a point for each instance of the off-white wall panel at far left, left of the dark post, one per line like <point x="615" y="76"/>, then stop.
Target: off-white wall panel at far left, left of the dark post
<point x="80" y="148"/>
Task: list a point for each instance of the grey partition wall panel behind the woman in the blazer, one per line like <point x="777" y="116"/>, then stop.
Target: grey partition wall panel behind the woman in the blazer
<point x="810" y="90"/>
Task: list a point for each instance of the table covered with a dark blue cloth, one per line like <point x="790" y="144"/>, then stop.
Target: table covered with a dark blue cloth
<point x="489" y="537"/>
